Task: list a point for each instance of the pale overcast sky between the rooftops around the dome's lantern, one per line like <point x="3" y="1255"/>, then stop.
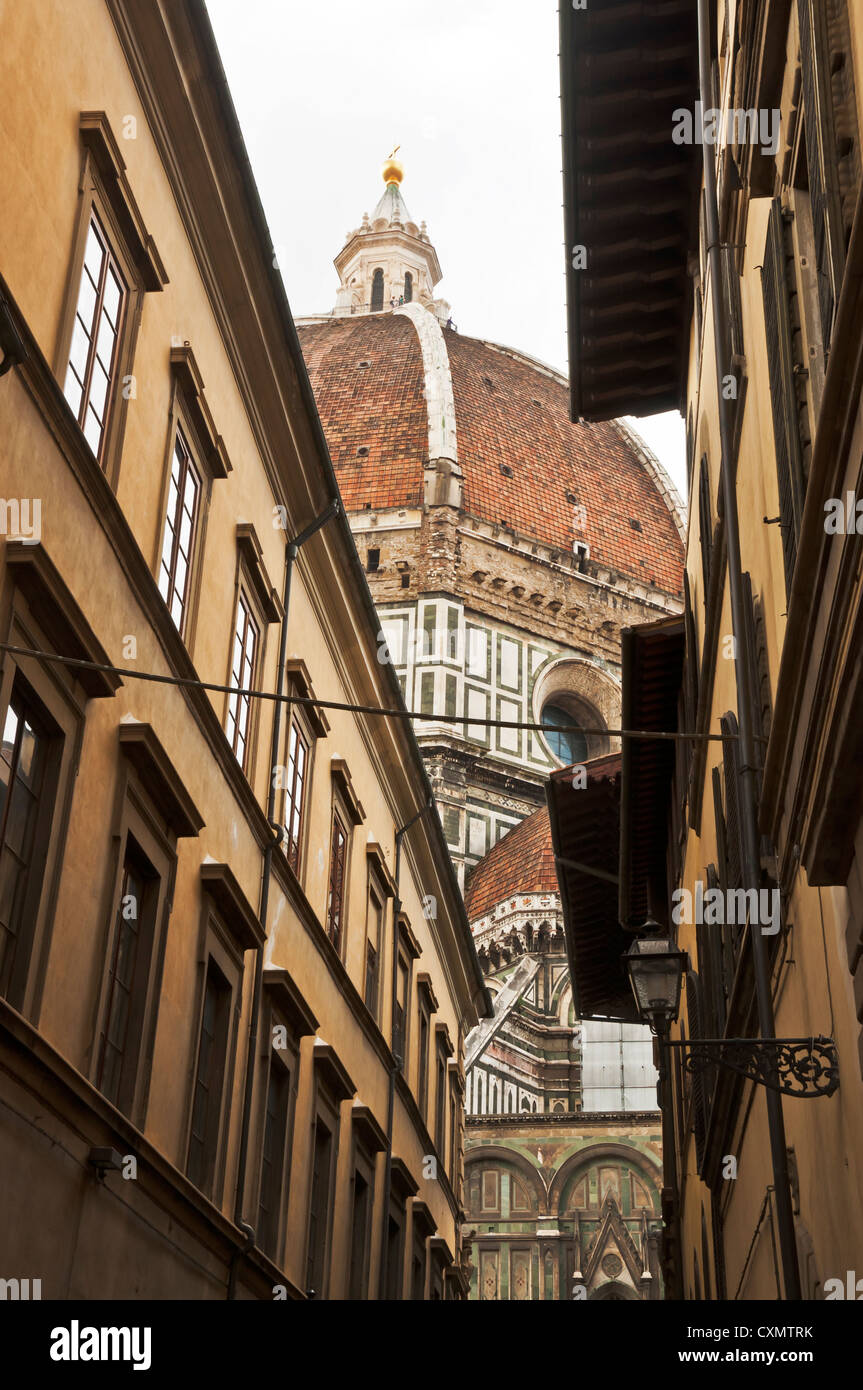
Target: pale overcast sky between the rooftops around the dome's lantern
<point x="470" y="92"/>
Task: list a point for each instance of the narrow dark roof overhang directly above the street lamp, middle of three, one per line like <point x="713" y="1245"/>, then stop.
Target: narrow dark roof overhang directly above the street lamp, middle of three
<point x="652" y="673"/>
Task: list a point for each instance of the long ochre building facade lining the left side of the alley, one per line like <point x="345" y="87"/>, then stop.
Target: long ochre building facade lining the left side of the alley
<point x="236" y="968"/>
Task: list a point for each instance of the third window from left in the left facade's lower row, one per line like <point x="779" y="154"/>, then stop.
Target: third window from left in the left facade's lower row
<point x="209" y="1079"/>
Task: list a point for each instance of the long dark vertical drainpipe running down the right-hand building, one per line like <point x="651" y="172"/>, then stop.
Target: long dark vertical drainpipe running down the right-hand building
<point x="748" y="799"/>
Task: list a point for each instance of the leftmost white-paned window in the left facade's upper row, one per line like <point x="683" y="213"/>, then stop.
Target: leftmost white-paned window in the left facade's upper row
<point x="94" y="352"/>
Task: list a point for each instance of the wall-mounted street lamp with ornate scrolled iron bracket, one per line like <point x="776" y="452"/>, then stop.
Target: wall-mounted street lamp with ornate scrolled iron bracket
<point x="796" y="1067"/>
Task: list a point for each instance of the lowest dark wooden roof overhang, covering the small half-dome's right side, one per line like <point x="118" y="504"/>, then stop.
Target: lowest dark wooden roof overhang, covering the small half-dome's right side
<point x="586" y="833"/>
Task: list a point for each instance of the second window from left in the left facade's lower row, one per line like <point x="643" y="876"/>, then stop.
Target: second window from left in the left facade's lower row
<point x="129" y="978"/>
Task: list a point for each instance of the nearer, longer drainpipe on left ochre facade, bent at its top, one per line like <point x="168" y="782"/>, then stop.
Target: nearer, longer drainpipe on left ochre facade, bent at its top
<point x="294" y="548"/>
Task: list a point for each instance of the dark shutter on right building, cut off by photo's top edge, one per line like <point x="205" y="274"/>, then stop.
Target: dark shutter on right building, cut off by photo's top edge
<point x="821" y="158"/>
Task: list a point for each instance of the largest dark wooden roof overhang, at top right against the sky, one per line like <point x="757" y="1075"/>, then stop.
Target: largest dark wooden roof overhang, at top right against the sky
<point x="632" y="201"/>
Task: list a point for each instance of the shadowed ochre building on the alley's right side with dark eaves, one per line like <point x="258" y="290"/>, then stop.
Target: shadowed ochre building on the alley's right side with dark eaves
<point x="766" y="1206"/>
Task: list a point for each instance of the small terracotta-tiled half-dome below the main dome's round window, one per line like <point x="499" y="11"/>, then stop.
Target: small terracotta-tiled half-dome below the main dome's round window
<point x="520" y="864"/>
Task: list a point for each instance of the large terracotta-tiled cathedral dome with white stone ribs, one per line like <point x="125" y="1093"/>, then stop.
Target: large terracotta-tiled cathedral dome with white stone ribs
<point x="384" y="383"/>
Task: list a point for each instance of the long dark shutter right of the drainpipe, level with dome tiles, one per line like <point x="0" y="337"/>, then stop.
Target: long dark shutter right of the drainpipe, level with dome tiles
<point x="783" y="397"/>
